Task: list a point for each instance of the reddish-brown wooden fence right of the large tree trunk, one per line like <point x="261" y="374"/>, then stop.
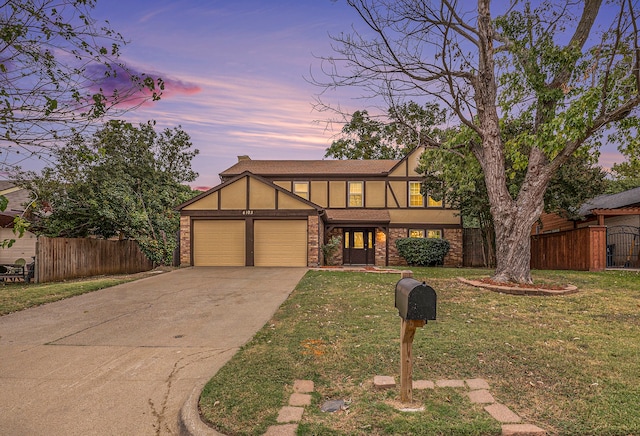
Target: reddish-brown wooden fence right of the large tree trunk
<point x="583" y="249"/>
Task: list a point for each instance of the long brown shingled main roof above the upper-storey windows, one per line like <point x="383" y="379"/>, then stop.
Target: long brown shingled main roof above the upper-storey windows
<point x="273" y="168"/>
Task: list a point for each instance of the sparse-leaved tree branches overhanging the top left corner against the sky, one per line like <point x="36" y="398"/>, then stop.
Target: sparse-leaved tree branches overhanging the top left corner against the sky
<point x="59" y="72"/>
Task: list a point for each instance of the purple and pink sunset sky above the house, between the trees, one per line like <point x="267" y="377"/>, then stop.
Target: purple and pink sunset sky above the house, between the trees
<point x="236" y="74"/>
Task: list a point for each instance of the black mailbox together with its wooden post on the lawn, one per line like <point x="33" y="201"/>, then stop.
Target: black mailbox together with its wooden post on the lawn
<point x="416" y="303"/>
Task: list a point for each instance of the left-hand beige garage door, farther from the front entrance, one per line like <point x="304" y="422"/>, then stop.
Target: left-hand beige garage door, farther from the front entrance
<point x="219" y="243"/>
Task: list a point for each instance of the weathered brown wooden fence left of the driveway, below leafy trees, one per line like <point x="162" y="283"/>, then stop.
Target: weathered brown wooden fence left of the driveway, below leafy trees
<point x="66" y="258"/>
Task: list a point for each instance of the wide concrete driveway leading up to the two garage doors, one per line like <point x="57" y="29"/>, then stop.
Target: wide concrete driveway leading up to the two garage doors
<point x="124" y="360"/>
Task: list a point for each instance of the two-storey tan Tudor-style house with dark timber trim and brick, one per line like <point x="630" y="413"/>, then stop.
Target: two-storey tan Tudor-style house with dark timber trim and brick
<point x="280" y="212"/>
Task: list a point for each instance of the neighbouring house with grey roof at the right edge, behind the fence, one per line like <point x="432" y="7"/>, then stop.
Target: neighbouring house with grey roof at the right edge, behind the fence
<point x="619" y="213"/>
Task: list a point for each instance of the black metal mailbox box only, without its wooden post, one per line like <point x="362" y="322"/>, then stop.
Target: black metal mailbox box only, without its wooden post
<point x="415" y="300"/>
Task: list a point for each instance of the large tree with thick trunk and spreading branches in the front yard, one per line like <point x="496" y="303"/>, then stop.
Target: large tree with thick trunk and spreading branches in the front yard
<point x="549" y="64"/>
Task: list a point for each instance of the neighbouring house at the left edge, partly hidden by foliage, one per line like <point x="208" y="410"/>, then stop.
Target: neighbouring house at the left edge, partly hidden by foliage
<point x="25" y="247"/>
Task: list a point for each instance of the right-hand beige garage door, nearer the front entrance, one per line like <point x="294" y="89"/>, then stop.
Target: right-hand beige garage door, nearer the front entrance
<point x="280" y="243"/>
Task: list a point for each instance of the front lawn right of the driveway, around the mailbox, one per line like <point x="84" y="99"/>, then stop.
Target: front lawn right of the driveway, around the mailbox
<point x="569" y="364"/>
